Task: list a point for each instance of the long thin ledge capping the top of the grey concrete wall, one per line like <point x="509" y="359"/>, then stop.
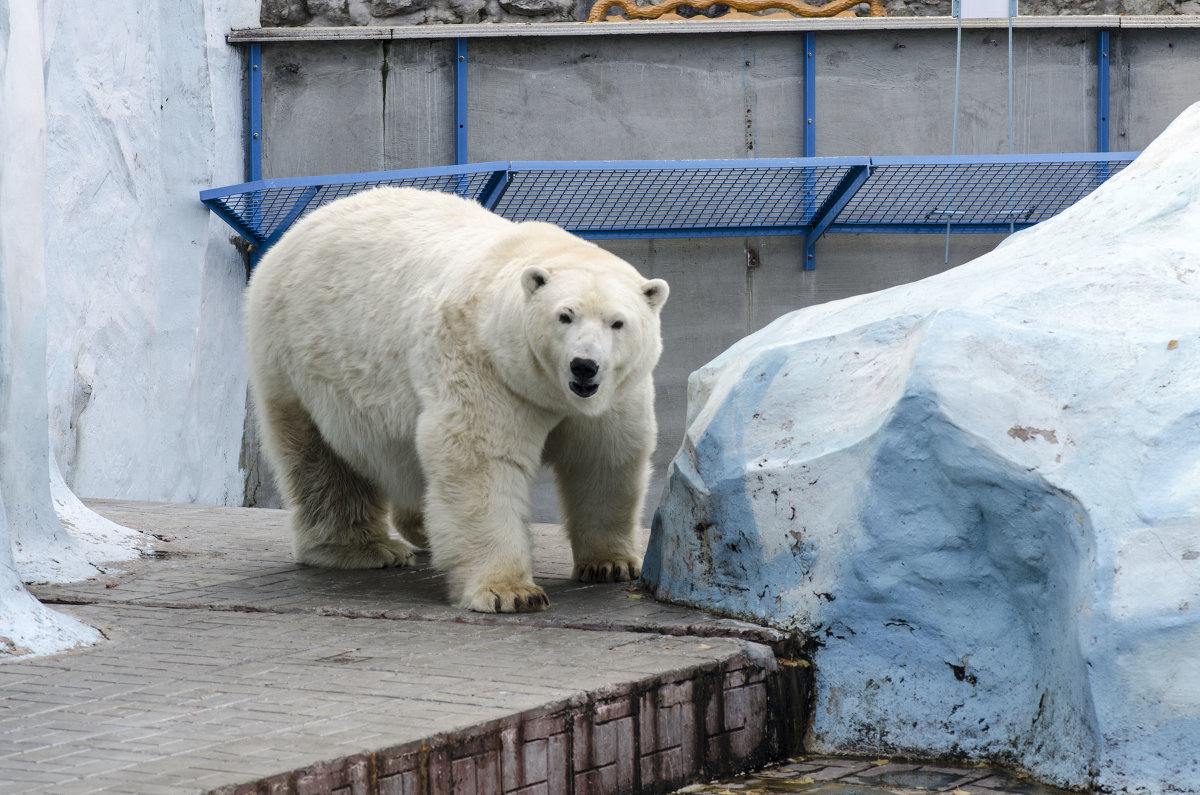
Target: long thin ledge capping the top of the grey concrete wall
<point x="709" y="27"/>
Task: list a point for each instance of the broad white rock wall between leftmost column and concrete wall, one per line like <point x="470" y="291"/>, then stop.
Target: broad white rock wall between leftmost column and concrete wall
<point x="143" y="109"/>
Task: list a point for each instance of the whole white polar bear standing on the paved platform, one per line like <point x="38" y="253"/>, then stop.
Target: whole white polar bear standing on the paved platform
<point x="413" y="351"/>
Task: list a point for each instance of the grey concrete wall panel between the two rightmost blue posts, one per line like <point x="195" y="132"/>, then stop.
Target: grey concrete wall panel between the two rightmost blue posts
<point x="893" y="93"/>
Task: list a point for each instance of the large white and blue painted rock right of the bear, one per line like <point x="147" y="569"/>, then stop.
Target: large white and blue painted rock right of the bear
<point x="979" y="495"/>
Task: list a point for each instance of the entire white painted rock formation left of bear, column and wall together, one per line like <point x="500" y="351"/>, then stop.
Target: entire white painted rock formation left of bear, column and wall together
<point x="121" y="346"/>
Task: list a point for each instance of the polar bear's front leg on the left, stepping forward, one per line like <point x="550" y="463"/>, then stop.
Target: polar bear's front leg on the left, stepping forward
<point x="478" y="507"/>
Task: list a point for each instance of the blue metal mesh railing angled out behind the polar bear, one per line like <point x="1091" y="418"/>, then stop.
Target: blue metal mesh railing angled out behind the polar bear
<point x="801" y="196"/>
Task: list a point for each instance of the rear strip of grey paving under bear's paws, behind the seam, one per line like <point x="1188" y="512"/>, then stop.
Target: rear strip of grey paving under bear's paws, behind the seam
<point x="241" y="559"/>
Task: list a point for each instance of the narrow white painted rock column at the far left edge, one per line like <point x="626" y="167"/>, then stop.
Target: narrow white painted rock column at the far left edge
<point x="27" y="513"/>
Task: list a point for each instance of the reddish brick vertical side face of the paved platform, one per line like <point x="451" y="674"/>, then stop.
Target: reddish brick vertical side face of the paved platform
<point x="652" y="737"/>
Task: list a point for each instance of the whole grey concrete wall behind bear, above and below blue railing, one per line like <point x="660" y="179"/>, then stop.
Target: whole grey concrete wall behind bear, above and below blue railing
<point x="337" y="107"/>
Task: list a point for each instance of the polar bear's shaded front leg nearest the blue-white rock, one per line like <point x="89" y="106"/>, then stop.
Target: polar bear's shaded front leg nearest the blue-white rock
<point x="602" y="467"/>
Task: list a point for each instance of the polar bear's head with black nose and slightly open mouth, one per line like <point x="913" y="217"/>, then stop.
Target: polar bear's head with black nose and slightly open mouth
<point x="592" y="327"/>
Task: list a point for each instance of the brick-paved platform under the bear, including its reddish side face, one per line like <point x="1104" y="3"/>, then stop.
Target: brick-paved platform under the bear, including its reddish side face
<point x="231" y="670"/>
